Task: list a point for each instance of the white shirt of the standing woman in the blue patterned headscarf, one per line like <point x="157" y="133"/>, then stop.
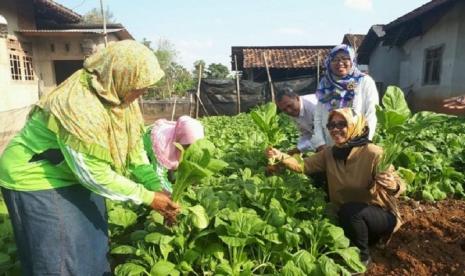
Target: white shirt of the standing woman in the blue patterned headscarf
<point x="365" y="100"/>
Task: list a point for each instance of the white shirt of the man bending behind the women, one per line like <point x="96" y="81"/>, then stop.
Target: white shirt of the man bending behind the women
<point x="305" y="122"/>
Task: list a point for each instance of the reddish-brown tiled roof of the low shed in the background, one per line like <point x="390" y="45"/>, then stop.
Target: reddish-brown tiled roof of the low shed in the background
<point x="280" y="57"/>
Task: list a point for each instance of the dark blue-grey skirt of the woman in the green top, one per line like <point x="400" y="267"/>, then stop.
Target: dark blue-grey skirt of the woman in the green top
<point x="60" y="231"/>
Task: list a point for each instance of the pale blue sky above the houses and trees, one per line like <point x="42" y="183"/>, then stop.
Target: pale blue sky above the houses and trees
<point x="206" y="29"/>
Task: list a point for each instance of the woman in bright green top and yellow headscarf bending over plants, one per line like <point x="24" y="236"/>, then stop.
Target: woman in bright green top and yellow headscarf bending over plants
<point x="82" y="142"/>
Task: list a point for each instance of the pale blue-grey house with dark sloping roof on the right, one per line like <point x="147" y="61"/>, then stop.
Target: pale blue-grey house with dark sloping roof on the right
<point x="423" y="52"/>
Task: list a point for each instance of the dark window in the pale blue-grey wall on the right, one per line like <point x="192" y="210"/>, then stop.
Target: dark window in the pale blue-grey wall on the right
<point x="432" y="67"/>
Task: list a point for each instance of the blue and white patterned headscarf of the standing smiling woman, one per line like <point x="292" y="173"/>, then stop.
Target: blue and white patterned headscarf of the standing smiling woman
<point x="339" y="93"/>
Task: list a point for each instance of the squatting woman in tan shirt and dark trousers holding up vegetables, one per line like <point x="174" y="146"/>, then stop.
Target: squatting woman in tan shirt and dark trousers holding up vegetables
<point x="365" y="200"/>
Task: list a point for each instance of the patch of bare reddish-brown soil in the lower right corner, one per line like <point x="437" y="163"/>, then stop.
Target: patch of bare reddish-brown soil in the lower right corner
<point x="431" y="242"/>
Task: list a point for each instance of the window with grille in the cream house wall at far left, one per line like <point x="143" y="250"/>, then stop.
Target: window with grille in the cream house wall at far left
<point x="20" y="60"/>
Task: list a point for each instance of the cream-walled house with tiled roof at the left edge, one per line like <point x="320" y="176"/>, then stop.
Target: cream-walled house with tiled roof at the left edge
<point x="41" y="43"/>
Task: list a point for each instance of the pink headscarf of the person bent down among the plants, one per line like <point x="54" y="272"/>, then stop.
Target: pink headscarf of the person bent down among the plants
<point x="184" y="131"/>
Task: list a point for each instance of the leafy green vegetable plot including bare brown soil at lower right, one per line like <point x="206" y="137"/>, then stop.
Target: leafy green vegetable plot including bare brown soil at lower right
<point x="242" y="221"/>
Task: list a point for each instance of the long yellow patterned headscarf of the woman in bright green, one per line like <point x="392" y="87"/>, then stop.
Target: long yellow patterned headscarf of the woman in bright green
<point x="87" y="110"/>
